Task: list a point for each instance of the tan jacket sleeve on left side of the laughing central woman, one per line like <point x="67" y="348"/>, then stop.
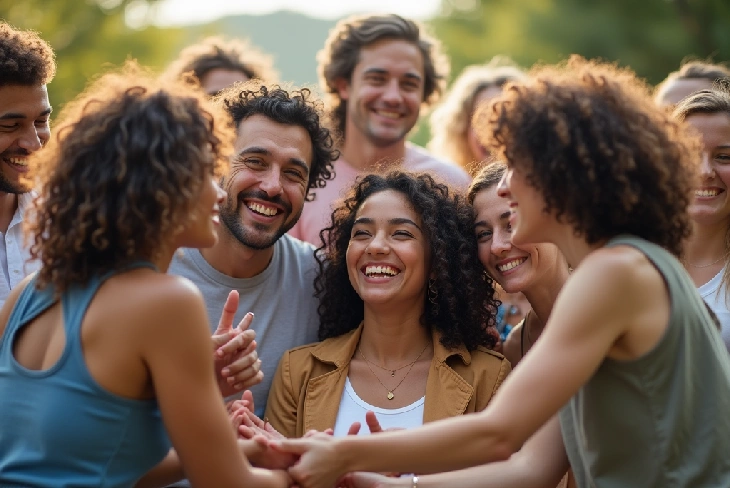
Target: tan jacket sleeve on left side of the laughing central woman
<point x="282" y="404"/>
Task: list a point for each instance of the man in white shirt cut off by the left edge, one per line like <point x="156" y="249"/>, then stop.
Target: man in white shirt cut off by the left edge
<point x="27" y="65"/>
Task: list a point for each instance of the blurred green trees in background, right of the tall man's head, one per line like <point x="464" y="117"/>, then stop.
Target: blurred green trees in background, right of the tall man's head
<point x="650" y="36"/>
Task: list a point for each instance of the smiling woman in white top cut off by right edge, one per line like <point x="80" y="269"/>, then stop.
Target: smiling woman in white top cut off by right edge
<point x="707" y="251"/>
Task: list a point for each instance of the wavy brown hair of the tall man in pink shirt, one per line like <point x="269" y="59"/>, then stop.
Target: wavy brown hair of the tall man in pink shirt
<point x="341" y="54"/>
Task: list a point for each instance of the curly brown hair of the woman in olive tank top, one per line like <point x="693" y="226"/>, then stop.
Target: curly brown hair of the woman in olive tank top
<point x="605" y="158"/>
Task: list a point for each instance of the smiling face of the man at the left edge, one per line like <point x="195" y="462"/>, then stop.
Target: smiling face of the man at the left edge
<point x="24" y="128"/>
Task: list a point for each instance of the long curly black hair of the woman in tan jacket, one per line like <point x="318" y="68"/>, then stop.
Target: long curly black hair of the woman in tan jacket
<point x="465" y="309"/>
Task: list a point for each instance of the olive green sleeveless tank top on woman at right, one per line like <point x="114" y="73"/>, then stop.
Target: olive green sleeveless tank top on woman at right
<point x="662" y="420"/>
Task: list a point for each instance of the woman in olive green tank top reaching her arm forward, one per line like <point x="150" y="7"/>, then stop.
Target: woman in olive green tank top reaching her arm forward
<point x="629" y="381"/>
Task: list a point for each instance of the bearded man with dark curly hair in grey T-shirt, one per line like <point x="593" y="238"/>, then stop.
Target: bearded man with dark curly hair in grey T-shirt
<point x="282" y="155"/>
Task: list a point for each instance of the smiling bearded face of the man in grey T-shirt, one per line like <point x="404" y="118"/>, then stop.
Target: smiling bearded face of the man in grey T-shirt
<point x="267" y="183"/>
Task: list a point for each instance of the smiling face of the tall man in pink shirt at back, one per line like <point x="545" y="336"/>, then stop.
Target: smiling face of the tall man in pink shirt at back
<point x="385" y="92"/>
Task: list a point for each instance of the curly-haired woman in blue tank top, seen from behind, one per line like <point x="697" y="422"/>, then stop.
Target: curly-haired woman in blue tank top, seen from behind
<point x="105" y="360"/>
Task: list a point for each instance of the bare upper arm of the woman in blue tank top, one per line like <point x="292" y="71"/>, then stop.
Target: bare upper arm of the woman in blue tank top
<point x="179" y="354"/>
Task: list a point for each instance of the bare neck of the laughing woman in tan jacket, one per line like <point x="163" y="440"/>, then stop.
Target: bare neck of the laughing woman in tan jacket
<point x="392" y="339"/>
